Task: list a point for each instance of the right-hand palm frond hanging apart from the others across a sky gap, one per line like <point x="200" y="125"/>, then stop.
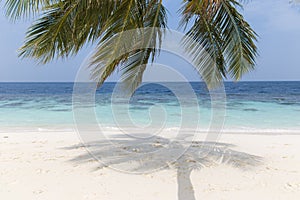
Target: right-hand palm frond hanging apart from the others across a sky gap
<point x="226" y="37"/>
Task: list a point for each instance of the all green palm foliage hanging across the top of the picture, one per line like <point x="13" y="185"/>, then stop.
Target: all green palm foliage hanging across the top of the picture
<point x="62" y="27"/>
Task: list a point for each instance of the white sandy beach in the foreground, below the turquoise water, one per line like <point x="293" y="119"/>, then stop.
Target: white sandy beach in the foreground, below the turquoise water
<point x="54" y="165"/>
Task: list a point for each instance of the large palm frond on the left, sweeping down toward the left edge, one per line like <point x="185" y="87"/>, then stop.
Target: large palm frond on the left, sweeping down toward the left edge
<point x="64" y="27"/>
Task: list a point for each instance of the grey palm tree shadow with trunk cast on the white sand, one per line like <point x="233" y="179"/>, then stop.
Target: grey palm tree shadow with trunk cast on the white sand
<point x="146" y="155"/>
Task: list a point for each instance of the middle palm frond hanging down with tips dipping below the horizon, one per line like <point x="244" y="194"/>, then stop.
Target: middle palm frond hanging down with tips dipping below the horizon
<point x="129" y="52"/>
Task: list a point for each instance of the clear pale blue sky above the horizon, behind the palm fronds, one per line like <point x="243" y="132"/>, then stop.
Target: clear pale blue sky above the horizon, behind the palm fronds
<point x="276" y="21"/>
